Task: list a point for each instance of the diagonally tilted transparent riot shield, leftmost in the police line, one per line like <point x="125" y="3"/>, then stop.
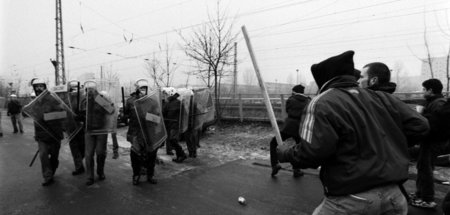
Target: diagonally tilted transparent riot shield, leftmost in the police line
<point x="50" y="112"/>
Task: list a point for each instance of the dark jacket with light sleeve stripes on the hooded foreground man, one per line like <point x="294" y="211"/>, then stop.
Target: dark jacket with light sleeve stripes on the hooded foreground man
<point x="358" y="136"/>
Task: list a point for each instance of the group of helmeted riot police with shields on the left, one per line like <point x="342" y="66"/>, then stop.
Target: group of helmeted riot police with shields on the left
<point x="91" y="116"/>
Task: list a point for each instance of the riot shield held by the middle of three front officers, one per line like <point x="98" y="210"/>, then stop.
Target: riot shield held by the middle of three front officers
<point x="101" y="113"/>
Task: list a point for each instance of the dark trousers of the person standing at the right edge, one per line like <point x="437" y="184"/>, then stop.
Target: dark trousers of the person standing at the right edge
<point x="425" y="165"/>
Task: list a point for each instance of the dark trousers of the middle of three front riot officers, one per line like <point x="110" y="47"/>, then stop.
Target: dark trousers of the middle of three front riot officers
<point x="95" y="144"/>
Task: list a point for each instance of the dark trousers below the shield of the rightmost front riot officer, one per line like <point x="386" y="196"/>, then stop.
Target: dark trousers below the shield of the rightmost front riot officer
<point x="148" y="161"/>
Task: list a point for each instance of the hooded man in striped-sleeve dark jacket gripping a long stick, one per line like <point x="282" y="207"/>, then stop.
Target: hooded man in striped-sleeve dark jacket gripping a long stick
<point x="360" y="139"/>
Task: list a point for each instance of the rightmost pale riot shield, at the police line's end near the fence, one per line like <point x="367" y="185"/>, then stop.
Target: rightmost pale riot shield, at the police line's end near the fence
<point x="203" y="107"/>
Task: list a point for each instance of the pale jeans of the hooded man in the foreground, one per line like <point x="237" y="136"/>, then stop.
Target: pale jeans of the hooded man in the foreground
<point x="381" y="200"/>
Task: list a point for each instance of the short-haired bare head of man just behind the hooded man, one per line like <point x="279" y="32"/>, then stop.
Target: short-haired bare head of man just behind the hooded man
<point x="377" y="76"/>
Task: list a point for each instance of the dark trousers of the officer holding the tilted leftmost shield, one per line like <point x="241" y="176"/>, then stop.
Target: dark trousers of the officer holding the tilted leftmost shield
<point x="48" y="154"/>
